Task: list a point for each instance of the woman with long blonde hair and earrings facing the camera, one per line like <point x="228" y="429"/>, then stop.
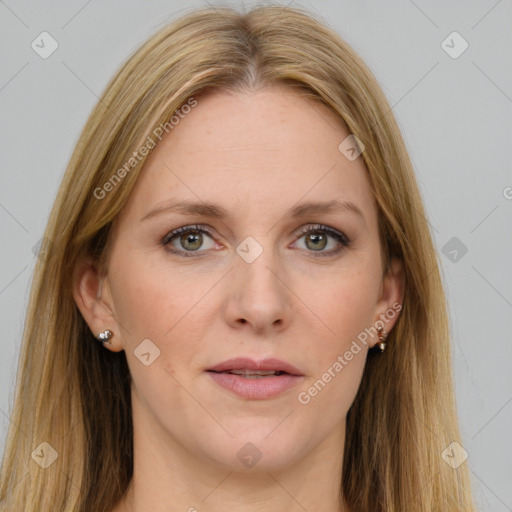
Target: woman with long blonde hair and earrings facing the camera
<point x="241" y="306"/>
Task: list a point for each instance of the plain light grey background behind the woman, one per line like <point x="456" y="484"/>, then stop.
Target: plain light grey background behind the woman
<point x="454" y="114"/>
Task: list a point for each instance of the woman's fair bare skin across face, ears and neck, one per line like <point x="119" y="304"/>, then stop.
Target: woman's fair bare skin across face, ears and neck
<point x="257" y="154"/>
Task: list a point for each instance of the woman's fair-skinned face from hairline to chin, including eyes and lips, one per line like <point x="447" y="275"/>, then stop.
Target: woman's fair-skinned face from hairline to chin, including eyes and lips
<point x="249" y="171"/>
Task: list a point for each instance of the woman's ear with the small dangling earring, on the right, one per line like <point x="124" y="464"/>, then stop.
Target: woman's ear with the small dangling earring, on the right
<point x="391" y="297"/>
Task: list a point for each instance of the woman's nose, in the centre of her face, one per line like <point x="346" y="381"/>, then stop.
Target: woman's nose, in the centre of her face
<point x="259" y="297"/>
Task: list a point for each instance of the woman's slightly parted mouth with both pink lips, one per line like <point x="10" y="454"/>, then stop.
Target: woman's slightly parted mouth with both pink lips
<point x="256" y="380"/>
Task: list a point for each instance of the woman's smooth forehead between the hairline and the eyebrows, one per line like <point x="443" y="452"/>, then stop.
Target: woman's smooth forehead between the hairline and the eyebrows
<point x="267" y="149"/>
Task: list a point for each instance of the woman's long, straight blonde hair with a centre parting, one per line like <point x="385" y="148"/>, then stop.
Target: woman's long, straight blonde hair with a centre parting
<point x="74" y="395"/>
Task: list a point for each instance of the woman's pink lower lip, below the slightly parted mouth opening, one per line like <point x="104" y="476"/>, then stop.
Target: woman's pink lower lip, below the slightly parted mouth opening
<point x="258" y="388"/>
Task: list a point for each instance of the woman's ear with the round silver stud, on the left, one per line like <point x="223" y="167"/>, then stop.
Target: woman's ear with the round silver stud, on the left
<point x="91" y="291"/>
